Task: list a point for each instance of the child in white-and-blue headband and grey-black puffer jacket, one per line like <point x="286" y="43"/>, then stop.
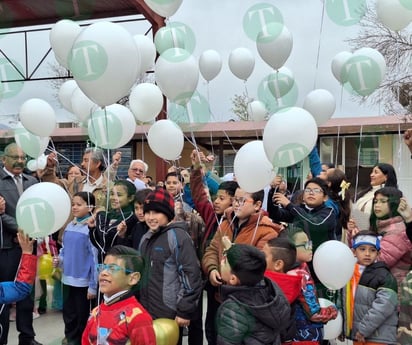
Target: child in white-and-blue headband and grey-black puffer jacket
<point x="372" y="317"/>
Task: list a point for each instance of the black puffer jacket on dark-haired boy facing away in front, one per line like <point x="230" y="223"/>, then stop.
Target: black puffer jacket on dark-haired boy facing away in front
<point x="252" y="315"/>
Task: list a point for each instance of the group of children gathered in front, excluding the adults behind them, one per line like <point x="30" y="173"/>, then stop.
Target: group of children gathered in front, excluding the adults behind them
<point x="259" y="282"/>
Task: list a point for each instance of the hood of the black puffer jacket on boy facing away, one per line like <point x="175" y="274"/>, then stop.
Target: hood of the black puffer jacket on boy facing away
<point x="265" y="301"/>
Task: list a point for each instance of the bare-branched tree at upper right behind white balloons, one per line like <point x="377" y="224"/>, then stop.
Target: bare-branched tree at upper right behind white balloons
<point x="395" y="92"/>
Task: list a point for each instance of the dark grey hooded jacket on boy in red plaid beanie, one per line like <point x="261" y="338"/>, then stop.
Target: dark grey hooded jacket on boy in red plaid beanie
<point x="172" y="283"/>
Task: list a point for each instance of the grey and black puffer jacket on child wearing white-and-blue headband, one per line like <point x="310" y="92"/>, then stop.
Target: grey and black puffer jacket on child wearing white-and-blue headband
<point x="375" y="313"/>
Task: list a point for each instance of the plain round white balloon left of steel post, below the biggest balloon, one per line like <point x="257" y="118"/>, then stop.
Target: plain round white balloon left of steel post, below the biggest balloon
<point x="146" y="101"/>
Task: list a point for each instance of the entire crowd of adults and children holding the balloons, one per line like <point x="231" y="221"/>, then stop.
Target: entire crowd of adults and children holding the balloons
<point x="133" y="252"/>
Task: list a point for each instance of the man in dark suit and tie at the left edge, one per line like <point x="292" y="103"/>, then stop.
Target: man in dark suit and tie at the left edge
<point x="12" y="183"/>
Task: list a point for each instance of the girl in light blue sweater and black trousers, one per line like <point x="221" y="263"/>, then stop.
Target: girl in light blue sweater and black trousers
<point x="78" y="259"/>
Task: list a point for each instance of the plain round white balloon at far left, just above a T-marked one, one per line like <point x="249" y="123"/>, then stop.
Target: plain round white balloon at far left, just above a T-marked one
<point x="38" y="117"/>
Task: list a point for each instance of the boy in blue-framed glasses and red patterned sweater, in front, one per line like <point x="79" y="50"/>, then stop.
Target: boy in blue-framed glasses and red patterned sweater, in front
<point x="120" y="319"/>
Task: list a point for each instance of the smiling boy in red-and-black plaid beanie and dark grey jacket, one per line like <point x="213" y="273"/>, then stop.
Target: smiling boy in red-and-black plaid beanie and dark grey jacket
<point x="172" y="283"/>
